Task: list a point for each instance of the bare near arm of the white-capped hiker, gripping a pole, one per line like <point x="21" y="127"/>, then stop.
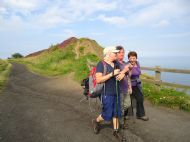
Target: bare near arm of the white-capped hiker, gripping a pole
<point x="100" y="78"/>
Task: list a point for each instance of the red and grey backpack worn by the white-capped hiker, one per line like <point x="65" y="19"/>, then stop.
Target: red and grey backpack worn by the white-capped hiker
<point x="91" y="87"/>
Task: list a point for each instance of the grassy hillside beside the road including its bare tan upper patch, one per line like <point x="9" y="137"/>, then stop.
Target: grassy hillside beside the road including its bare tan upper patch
<point x="61" y="61"/>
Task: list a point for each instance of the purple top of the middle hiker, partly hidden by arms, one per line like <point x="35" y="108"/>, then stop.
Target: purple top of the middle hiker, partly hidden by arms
<point x="123" y="83"/>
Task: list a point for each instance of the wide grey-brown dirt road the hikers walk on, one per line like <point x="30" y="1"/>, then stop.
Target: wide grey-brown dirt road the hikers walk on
<point x="40" y="109"/>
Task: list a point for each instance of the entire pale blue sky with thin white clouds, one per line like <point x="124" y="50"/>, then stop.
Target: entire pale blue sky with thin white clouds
<point x="153" y="28"/>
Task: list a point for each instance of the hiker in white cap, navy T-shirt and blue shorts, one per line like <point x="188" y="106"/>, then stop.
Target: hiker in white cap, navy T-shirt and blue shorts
<point x="111" y="109"/>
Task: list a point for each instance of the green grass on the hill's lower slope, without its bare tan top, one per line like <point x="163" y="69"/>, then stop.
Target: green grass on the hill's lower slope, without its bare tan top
<point x="58" y="61"/>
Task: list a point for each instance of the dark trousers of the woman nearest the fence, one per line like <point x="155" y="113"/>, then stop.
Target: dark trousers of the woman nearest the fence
<point x="137" y="94"/>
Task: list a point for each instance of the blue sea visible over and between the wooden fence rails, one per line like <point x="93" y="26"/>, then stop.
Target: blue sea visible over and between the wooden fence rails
<point x="169" y="62"/>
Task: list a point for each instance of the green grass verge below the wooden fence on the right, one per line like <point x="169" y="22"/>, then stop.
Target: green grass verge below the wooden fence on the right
<point x="169" y="97"/>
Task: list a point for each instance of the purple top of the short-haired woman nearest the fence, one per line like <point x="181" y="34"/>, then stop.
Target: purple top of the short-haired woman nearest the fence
<point x="136" y="71"/>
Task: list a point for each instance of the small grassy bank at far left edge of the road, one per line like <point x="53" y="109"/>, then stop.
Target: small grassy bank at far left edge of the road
<point x="4" y="71"/>
